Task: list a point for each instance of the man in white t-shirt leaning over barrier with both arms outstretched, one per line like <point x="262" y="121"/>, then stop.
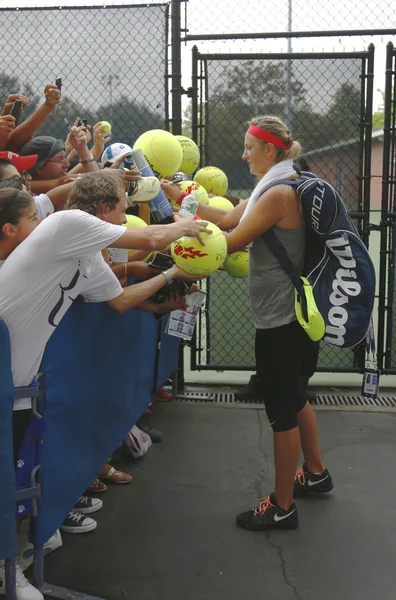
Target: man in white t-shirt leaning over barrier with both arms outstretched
<point x="62" y="259"/>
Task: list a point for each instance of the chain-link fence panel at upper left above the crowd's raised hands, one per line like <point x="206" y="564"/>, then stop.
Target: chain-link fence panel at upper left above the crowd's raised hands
<point x="113" y="62"/>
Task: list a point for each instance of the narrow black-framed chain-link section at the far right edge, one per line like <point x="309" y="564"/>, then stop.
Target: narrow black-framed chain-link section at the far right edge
<point x="387" y="300"/>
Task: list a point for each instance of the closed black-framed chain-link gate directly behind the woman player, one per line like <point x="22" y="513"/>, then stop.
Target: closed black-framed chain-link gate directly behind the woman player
<point x="326" y="100"/>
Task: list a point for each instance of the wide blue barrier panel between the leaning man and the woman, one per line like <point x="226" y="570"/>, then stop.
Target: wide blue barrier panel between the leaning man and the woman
<point x="99" y="374"/>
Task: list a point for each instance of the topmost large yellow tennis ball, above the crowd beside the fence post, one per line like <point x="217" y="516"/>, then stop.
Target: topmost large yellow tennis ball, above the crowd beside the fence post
<point x="162" y="151"/>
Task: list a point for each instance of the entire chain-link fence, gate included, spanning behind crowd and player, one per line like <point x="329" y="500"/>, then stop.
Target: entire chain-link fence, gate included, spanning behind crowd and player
<point x="116" y="61"/>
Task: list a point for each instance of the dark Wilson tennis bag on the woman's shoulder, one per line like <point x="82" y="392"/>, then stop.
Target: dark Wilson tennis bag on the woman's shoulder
<point x="337" y="263"/>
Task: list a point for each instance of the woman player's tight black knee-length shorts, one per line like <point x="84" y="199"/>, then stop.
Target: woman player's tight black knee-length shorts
<point x="279" y="364"/>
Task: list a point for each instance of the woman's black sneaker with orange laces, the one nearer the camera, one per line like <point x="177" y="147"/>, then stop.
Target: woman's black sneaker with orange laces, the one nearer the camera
<point x="267" y="515"/>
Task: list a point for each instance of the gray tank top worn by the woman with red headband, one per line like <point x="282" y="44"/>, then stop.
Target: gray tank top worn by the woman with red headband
<point x="270" y="288"/>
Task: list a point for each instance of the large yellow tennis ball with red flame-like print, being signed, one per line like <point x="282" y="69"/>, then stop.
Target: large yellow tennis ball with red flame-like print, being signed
<point x="196" y="259"/>
